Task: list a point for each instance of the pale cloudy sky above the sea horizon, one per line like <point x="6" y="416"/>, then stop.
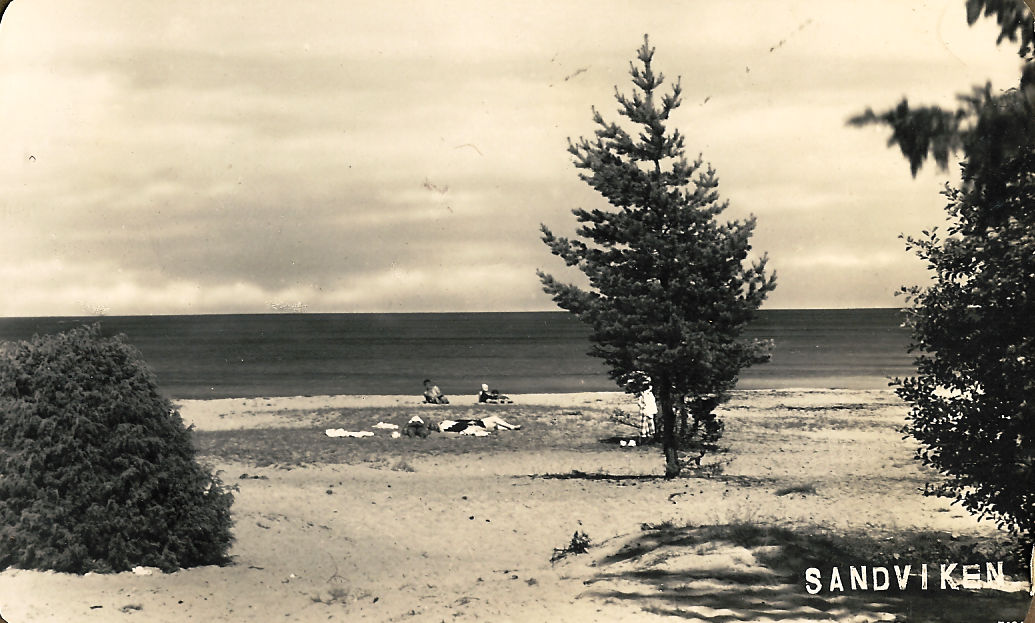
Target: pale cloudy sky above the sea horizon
<point x="191" y="157"/>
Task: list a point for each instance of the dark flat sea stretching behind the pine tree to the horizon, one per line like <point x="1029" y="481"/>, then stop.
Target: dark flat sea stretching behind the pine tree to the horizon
<point x="264" y="355"/>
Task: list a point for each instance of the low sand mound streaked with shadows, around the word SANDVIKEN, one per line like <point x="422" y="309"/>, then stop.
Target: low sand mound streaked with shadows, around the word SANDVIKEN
<point x="746" y="573"/>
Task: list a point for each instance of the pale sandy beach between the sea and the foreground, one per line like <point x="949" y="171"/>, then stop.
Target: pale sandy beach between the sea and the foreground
<point x="409" y="533"/>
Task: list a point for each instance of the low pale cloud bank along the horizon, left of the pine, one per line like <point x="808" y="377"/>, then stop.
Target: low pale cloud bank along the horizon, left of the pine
<point x="57" y="289"/>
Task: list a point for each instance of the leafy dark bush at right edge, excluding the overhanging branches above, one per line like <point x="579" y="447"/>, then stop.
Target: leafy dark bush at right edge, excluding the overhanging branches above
<point x="973" y="400"/>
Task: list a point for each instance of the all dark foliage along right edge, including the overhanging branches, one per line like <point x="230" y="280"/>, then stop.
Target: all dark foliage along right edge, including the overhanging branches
<point x="972" y="399"/>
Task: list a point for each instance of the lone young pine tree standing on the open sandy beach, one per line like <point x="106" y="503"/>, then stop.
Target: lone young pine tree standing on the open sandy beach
<point x="670" y="291"/>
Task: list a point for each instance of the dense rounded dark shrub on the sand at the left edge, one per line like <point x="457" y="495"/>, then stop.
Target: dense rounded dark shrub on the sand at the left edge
<point x="99" y="471"/>
